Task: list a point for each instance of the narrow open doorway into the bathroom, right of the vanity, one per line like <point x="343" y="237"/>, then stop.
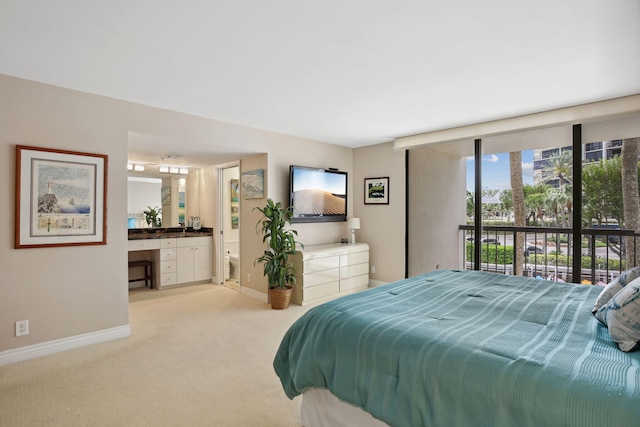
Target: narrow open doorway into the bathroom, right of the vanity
<point x="229" y="215"/>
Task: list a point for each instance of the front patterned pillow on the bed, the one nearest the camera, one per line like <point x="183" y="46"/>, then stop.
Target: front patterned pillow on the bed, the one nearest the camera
<point x="622" y="316"/>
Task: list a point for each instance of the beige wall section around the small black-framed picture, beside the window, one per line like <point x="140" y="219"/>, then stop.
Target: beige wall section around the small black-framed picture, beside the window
<point x="381" y="226"/>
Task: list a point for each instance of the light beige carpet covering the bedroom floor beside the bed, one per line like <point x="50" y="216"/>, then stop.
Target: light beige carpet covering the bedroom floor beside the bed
<point x="199" y="356"/>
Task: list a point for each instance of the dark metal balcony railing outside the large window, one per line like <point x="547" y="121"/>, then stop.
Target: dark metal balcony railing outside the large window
<point x="548" y="252"/>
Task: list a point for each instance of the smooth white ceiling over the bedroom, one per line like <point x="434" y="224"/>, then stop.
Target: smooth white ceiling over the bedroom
<point x="351" y="73"/>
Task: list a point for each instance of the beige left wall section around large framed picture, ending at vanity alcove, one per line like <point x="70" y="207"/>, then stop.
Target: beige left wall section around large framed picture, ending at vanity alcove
<point x="63" y="291"/>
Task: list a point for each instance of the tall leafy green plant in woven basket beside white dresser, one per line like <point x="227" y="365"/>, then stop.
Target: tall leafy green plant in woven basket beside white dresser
<point x="282" y="243"/>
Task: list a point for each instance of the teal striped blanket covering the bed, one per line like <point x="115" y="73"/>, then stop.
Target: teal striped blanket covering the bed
<point x="466" y="348"/>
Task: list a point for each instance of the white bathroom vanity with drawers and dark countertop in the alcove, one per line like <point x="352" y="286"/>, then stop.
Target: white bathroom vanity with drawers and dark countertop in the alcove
<point x="180" y="256"/>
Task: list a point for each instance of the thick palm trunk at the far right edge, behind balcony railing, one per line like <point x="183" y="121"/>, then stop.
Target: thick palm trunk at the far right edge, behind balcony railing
<point x="630" y="196"/>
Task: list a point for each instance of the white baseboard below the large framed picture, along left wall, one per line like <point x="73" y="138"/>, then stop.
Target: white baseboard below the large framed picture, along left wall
<point x="37" y="350"/>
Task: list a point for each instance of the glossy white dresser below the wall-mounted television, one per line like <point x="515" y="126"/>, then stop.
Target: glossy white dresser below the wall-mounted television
<point x="324" y="272"/>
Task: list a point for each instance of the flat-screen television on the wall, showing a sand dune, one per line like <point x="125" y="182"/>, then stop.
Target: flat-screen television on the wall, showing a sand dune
<point x="317" y="195"/>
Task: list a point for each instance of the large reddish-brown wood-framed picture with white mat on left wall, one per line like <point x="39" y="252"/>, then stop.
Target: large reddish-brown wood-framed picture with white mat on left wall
<point x="60" y="199"/>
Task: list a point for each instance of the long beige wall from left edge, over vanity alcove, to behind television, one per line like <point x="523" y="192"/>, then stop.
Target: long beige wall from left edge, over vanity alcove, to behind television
<point x="68" y="291"/>
